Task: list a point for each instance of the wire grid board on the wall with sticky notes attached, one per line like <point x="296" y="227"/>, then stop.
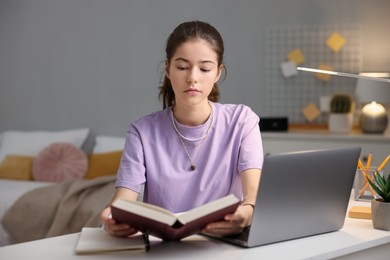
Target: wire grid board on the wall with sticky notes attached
<point x="287" y="96"/>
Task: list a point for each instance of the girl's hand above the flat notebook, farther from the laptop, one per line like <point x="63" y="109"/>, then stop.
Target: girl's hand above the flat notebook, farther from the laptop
<point x="114" y="228"/>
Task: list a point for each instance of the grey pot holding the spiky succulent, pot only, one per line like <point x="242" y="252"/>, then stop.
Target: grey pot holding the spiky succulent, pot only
<point x="380" y="212"/>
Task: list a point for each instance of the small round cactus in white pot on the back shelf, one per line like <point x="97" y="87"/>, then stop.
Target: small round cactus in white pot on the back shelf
<point x="341" y="116"/>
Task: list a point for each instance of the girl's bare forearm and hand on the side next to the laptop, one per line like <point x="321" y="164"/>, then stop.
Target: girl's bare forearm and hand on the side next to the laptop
<point x="234" y="223"/>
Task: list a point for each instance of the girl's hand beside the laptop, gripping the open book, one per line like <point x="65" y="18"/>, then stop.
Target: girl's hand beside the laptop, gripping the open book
<point x="232" y="223"/>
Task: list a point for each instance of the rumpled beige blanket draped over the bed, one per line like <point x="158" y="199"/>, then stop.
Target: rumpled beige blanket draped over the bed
<point x="58" y="209"/>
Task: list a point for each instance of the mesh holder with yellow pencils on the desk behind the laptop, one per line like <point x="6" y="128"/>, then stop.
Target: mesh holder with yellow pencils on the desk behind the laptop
<point x="362" y="188"/>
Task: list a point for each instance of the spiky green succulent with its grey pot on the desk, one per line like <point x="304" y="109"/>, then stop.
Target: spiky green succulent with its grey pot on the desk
<point x="380" y="207"/>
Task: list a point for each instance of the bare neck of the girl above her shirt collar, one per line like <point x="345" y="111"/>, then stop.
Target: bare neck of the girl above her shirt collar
<point x="192" y="116"/>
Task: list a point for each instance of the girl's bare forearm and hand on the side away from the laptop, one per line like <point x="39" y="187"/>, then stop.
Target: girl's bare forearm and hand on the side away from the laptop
<point x="112" y="227"/>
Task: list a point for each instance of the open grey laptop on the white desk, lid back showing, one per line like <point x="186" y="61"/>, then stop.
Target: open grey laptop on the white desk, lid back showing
<point x="300" y="194"/>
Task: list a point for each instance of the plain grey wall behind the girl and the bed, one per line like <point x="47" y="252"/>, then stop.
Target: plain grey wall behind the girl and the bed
<point x="97" y="64"/>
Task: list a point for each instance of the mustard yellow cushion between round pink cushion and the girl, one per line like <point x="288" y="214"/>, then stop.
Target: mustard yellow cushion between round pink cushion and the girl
<point x="103" y="164"/>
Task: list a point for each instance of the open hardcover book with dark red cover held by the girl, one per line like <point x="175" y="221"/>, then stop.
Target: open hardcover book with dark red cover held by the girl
<point x="162" y="223"/>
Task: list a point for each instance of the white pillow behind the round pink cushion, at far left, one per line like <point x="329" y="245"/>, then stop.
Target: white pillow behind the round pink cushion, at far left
<point x="30" y="143"/>
